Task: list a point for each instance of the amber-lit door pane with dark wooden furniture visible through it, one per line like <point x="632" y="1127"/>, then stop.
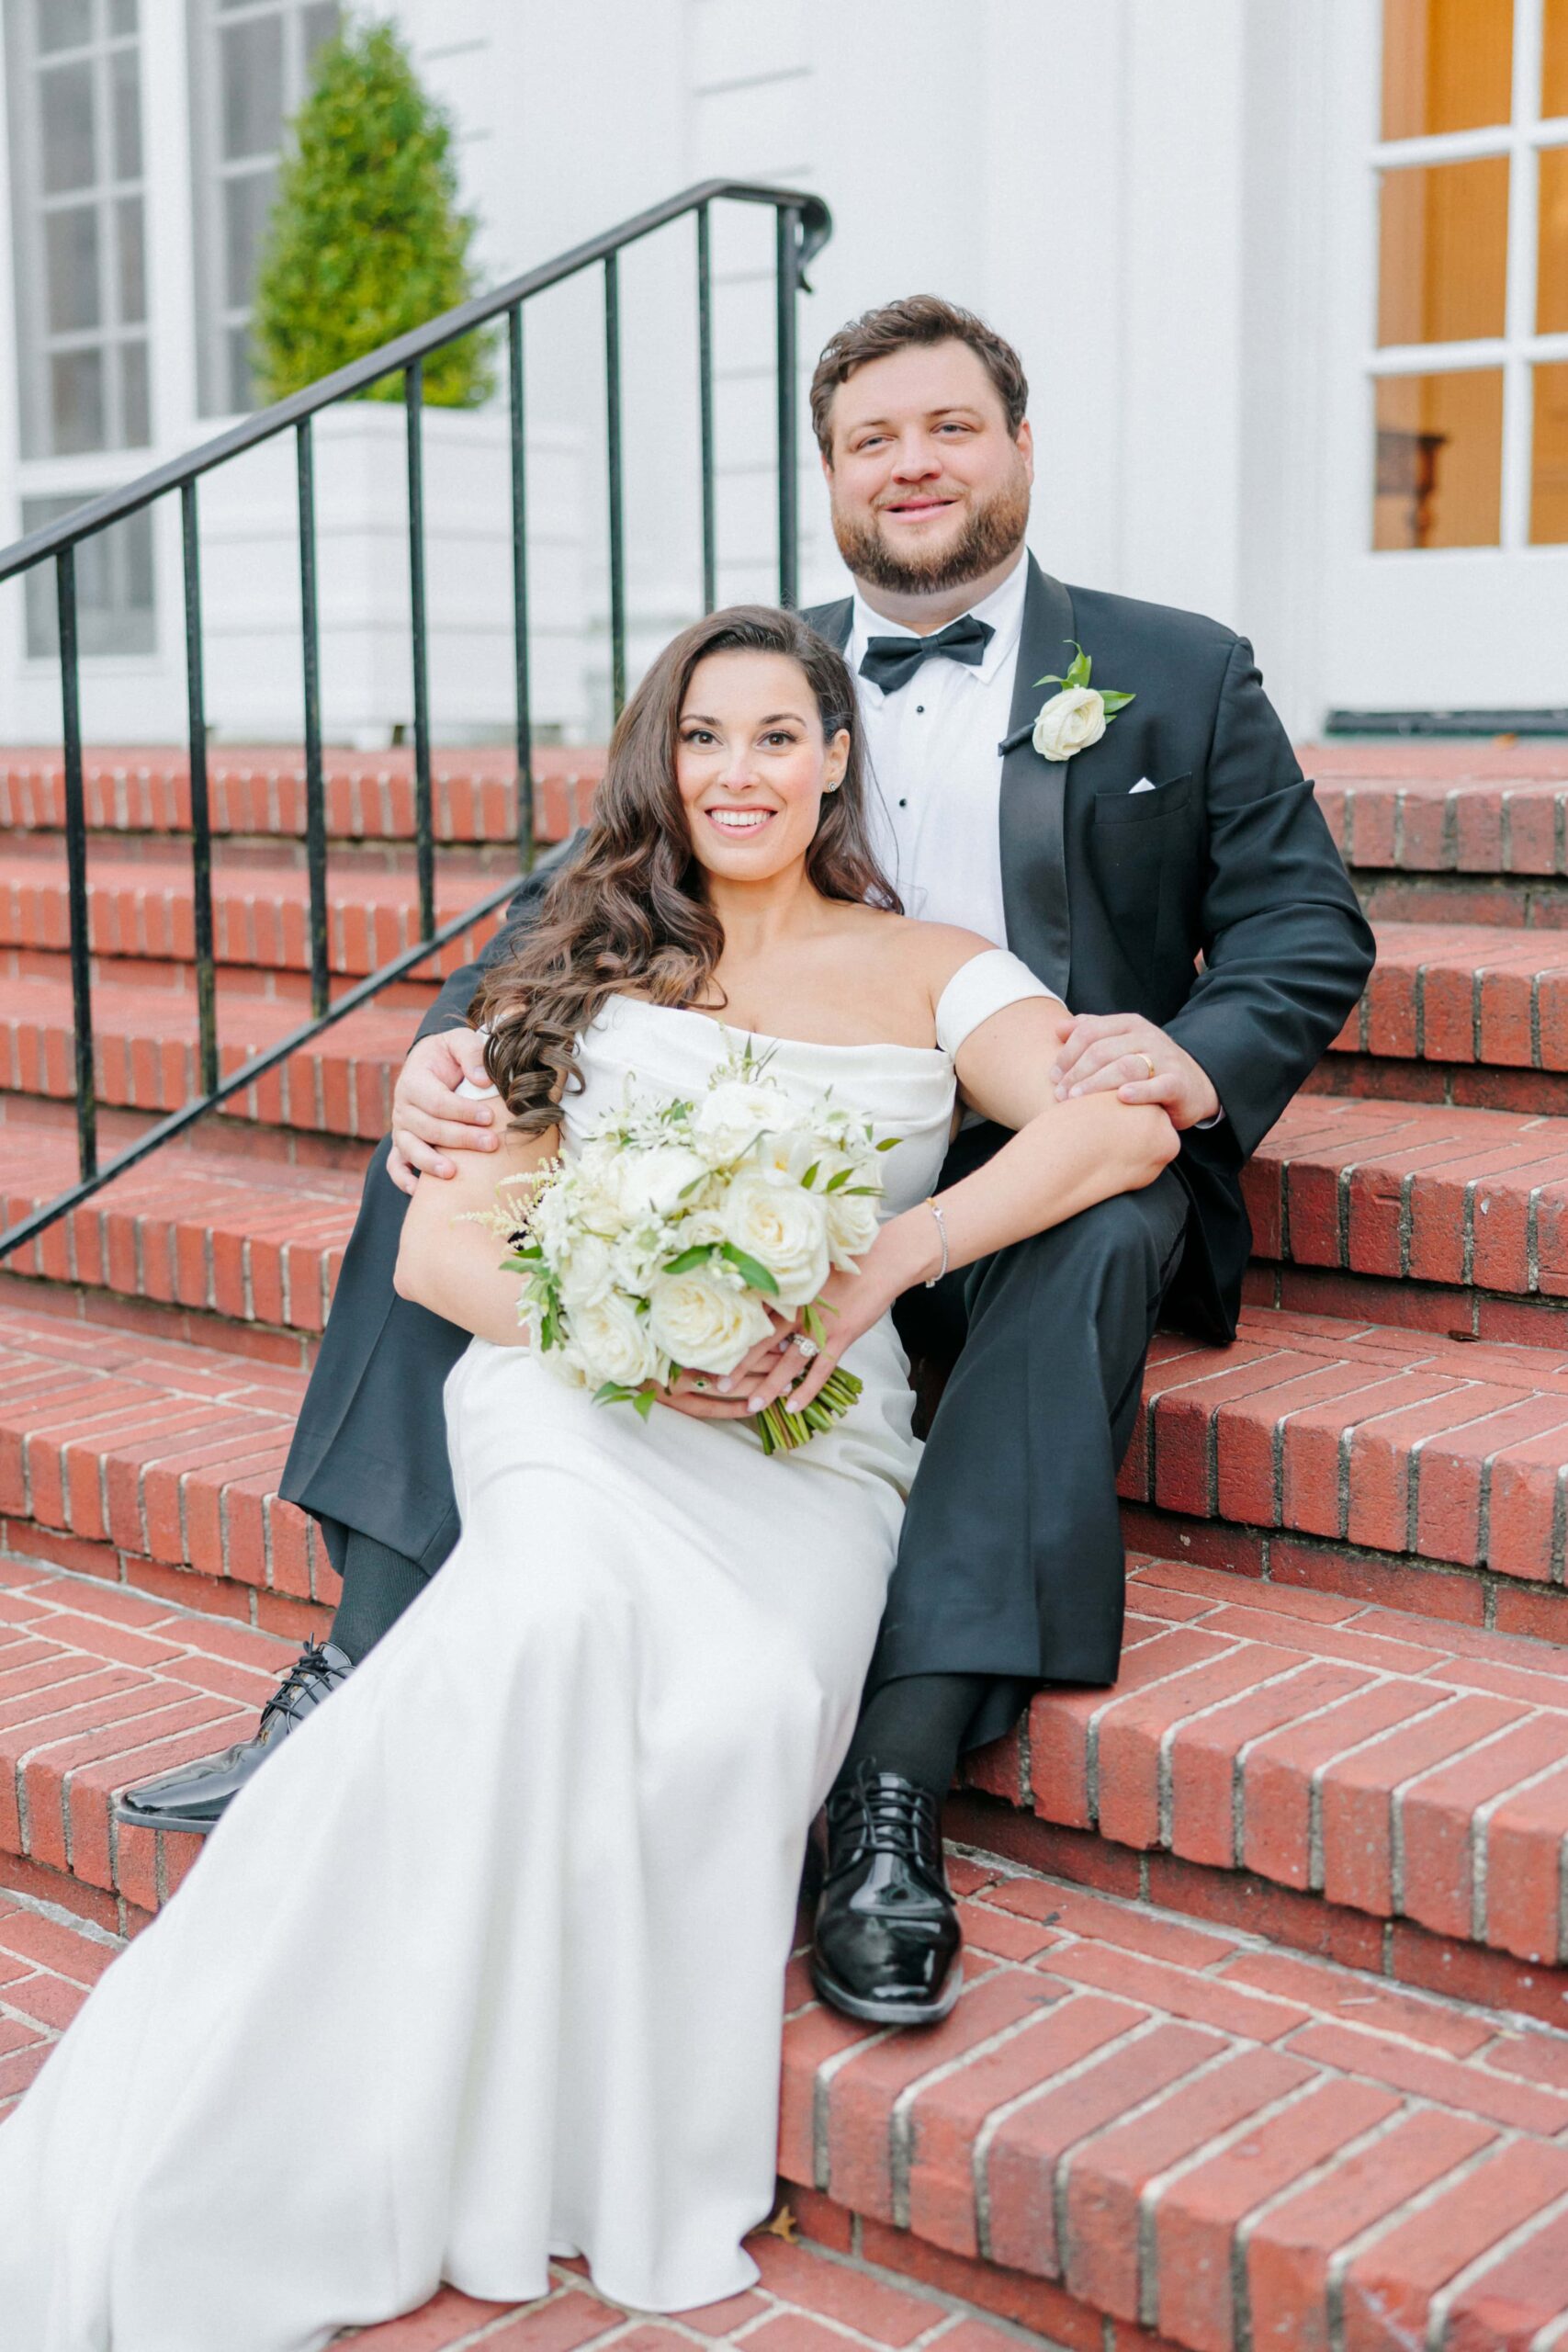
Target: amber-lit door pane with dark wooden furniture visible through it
<point x="1440" y="462"/>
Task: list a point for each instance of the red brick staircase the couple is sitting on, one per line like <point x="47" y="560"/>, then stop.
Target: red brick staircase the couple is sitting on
<point x="1266" y="2019"/>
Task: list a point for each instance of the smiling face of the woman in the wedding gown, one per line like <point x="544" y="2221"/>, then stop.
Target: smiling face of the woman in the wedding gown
<point x="753" y="766"/>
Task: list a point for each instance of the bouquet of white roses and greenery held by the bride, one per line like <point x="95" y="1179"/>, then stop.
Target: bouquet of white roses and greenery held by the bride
<point x="666" y="1236"/>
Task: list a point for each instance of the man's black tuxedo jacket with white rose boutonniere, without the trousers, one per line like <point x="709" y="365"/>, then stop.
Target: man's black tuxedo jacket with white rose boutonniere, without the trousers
<point x="1217" y="904"/>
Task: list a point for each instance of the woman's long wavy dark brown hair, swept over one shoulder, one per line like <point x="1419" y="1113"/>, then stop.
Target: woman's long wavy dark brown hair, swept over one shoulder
<point x="631" y="916"/>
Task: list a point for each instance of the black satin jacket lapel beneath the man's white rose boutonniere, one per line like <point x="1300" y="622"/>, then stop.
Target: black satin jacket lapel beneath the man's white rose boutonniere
<point x="1036" y="796"/>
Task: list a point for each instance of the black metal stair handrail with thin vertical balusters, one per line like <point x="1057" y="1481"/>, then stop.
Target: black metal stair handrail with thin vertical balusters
<point x="803" y="227"/>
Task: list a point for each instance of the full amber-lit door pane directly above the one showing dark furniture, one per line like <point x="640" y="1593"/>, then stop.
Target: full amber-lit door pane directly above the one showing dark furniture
<point x="1442" y="253"/>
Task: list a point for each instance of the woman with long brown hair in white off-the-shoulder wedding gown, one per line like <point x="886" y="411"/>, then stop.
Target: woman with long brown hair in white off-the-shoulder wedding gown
<point x="488" y="1965"/>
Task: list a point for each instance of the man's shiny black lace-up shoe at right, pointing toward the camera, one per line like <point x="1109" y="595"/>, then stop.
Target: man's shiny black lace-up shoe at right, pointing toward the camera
<point x="887" y="1932"/>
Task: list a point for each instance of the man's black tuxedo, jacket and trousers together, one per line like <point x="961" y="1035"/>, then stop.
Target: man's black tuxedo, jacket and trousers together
<point x="1217" y="907"/>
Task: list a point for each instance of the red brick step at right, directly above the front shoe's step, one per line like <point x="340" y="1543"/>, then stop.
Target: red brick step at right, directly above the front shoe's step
<point x="1386" y="1763"/>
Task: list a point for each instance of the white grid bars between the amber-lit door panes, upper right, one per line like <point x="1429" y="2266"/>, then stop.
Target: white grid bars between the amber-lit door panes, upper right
<point x="1517" y="352"/>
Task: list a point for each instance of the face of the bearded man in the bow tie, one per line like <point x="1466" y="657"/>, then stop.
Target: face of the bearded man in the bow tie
<point x="930" y="488"/>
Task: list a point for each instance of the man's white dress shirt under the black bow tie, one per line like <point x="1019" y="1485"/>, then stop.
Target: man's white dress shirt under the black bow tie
<point x="934" y="787"/>
